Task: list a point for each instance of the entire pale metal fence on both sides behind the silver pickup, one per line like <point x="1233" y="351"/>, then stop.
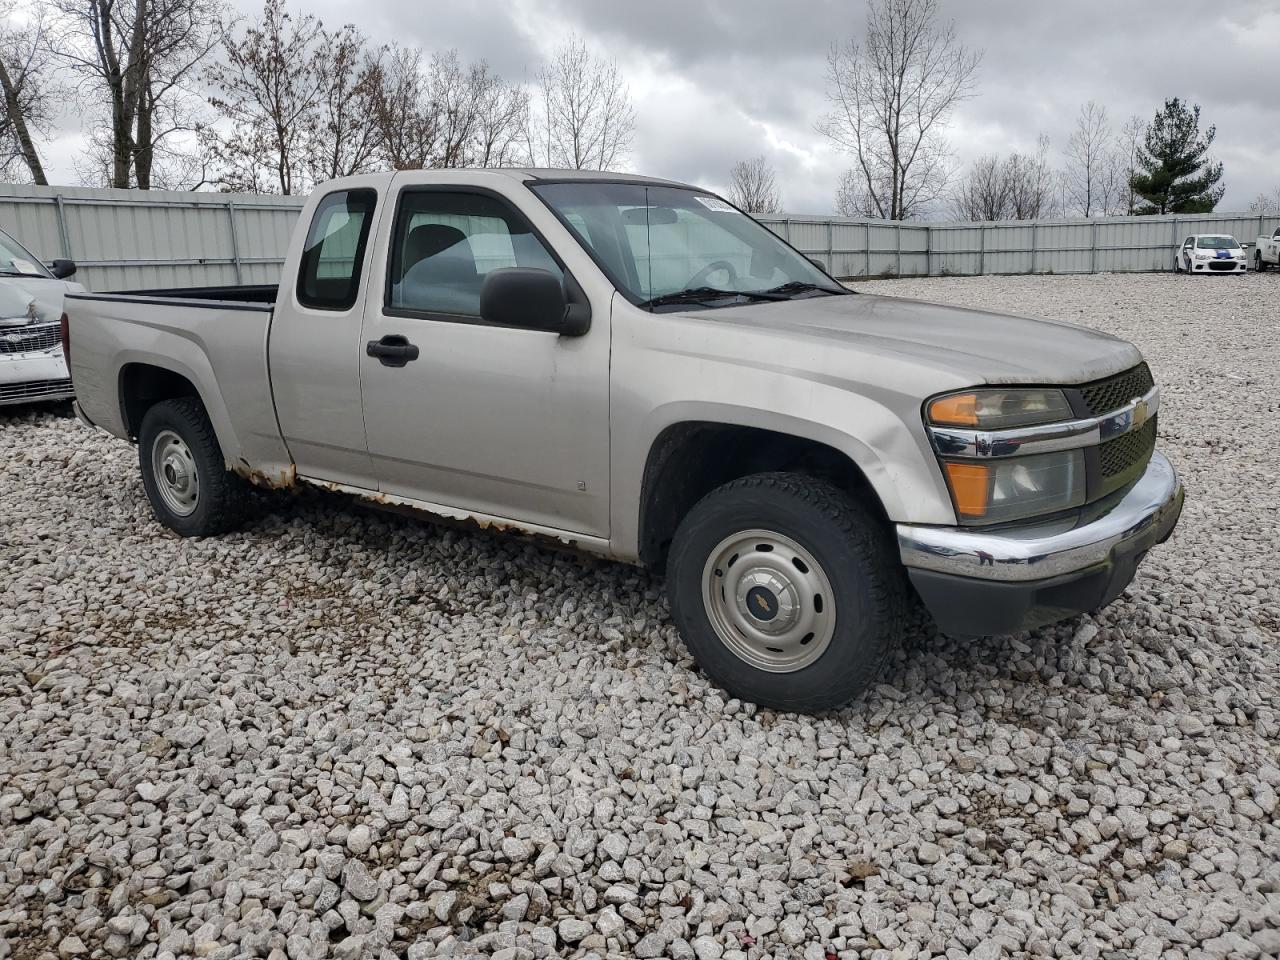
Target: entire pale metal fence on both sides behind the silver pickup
<point x="124" y="240"/>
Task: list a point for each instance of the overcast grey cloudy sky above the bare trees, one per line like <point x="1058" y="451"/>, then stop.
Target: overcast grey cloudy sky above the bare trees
<point x="716" y="81"/>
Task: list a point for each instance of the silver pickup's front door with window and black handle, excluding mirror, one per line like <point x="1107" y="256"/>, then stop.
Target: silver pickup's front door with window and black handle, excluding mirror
<point x="500" y="420"/>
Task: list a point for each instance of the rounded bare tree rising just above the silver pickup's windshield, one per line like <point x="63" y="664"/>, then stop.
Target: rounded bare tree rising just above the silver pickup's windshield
<point x="586" y="120"/>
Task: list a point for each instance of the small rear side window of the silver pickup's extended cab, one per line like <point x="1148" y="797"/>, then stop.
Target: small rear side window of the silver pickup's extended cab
<point x="330" y="278"/>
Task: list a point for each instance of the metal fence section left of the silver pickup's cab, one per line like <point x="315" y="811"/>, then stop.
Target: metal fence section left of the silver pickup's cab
<point x="135" y="240"/>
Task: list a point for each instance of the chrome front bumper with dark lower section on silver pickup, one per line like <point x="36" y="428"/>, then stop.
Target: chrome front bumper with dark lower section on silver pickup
<point x="1000" y="582"/>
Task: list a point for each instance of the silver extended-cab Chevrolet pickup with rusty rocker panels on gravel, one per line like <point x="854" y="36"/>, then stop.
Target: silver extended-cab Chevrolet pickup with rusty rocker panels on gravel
<point x="638" y="369"/>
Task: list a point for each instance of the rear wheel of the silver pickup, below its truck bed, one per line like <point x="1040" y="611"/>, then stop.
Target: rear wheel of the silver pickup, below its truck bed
<point x="185" y="474"/>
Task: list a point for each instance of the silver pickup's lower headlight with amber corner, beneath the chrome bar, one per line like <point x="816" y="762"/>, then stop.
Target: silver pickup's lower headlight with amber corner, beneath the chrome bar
<point x="1000" y="491"/>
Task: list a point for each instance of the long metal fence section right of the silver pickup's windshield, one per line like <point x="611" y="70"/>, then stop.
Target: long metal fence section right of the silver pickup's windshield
<point x="852" y="248"/>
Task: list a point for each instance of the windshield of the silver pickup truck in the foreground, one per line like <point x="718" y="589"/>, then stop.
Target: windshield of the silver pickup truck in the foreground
<point x="659" y="243"/>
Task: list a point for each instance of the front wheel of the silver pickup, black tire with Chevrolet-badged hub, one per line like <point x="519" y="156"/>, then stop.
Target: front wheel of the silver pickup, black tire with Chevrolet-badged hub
<point x="830" y="574"/>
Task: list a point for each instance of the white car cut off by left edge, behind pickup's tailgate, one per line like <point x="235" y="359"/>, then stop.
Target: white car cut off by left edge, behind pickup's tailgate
<point x="33" y="365"/>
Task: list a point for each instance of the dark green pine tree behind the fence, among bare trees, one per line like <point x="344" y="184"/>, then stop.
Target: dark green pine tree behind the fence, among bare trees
<point x="1176" y="176"/>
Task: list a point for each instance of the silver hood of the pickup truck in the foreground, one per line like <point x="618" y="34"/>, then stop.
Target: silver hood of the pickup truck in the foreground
<point x="977" y="346"/>
